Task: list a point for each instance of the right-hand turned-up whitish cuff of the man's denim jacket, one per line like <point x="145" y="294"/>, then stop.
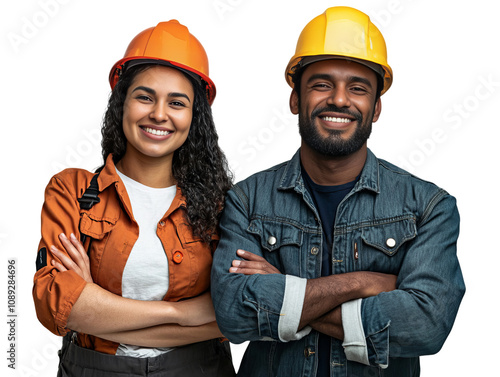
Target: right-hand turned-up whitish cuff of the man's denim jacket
<point x="354" y="335"/>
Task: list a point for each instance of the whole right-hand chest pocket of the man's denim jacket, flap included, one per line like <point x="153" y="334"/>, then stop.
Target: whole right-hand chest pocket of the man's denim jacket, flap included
<point x="384" y="244"/>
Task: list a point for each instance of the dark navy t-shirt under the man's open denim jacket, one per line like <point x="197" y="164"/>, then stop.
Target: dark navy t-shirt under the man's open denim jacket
<point x="326" y="199"/>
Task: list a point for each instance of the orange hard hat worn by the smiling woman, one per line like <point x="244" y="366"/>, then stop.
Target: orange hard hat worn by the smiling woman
<point x="169" y="43"/>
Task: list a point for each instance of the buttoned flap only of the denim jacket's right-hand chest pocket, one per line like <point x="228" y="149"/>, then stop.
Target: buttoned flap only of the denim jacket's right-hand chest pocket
<point x="389" y="235"/>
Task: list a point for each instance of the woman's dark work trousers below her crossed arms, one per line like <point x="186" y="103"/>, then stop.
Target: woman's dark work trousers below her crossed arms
<point x="211" y="358"/>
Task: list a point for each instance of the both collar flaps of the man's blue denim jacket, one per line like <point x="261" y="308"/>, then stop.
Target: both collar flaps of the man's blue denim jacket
<point x="369" y="179"/>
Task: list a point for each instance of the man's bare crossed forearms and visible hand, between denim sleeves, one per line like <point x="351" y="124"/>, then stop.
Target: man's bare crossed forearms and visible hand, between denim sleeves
<point x="324" y="296"/>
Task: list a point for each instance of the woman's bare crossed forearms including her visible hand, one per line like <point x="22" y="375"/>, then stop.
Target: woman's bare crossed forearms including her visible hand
<point x="144" y="323"/>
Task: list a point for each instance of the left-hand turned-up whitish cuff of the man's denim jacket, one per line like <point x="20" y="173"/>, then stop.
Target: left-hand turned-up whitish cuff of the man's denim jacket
<point x="291" y="309"/>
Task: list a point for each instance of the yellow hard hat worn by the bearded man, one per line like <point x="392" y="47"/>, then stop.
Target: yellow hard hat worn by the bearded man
<point x="341" y="32"/>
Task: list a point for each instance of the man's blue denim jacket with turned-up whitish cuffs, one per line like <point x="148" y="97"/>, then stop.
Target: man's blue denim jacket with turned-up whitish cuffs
<point x="391" y="222"/>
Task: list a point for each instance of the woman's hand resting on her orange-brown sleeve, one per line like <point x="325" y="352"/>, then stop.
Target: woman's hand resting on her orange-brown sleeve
<point x="76" y="258"/>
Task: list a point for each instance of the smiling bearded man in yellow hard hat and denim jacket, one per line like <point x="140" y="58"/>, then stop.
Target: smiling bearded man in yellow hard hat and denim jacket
<point x="336" y="263"/>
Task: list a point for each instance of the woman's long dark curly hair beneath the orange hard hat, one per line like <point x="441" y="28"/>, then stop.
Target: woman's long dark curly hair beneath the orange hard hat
<point x="199" y="165"/>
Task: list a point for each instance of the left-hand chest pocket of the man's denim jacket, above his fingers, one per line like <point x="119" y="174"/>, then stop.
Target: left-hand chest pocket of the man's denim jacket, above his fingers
<point x="280" y="243"/>
